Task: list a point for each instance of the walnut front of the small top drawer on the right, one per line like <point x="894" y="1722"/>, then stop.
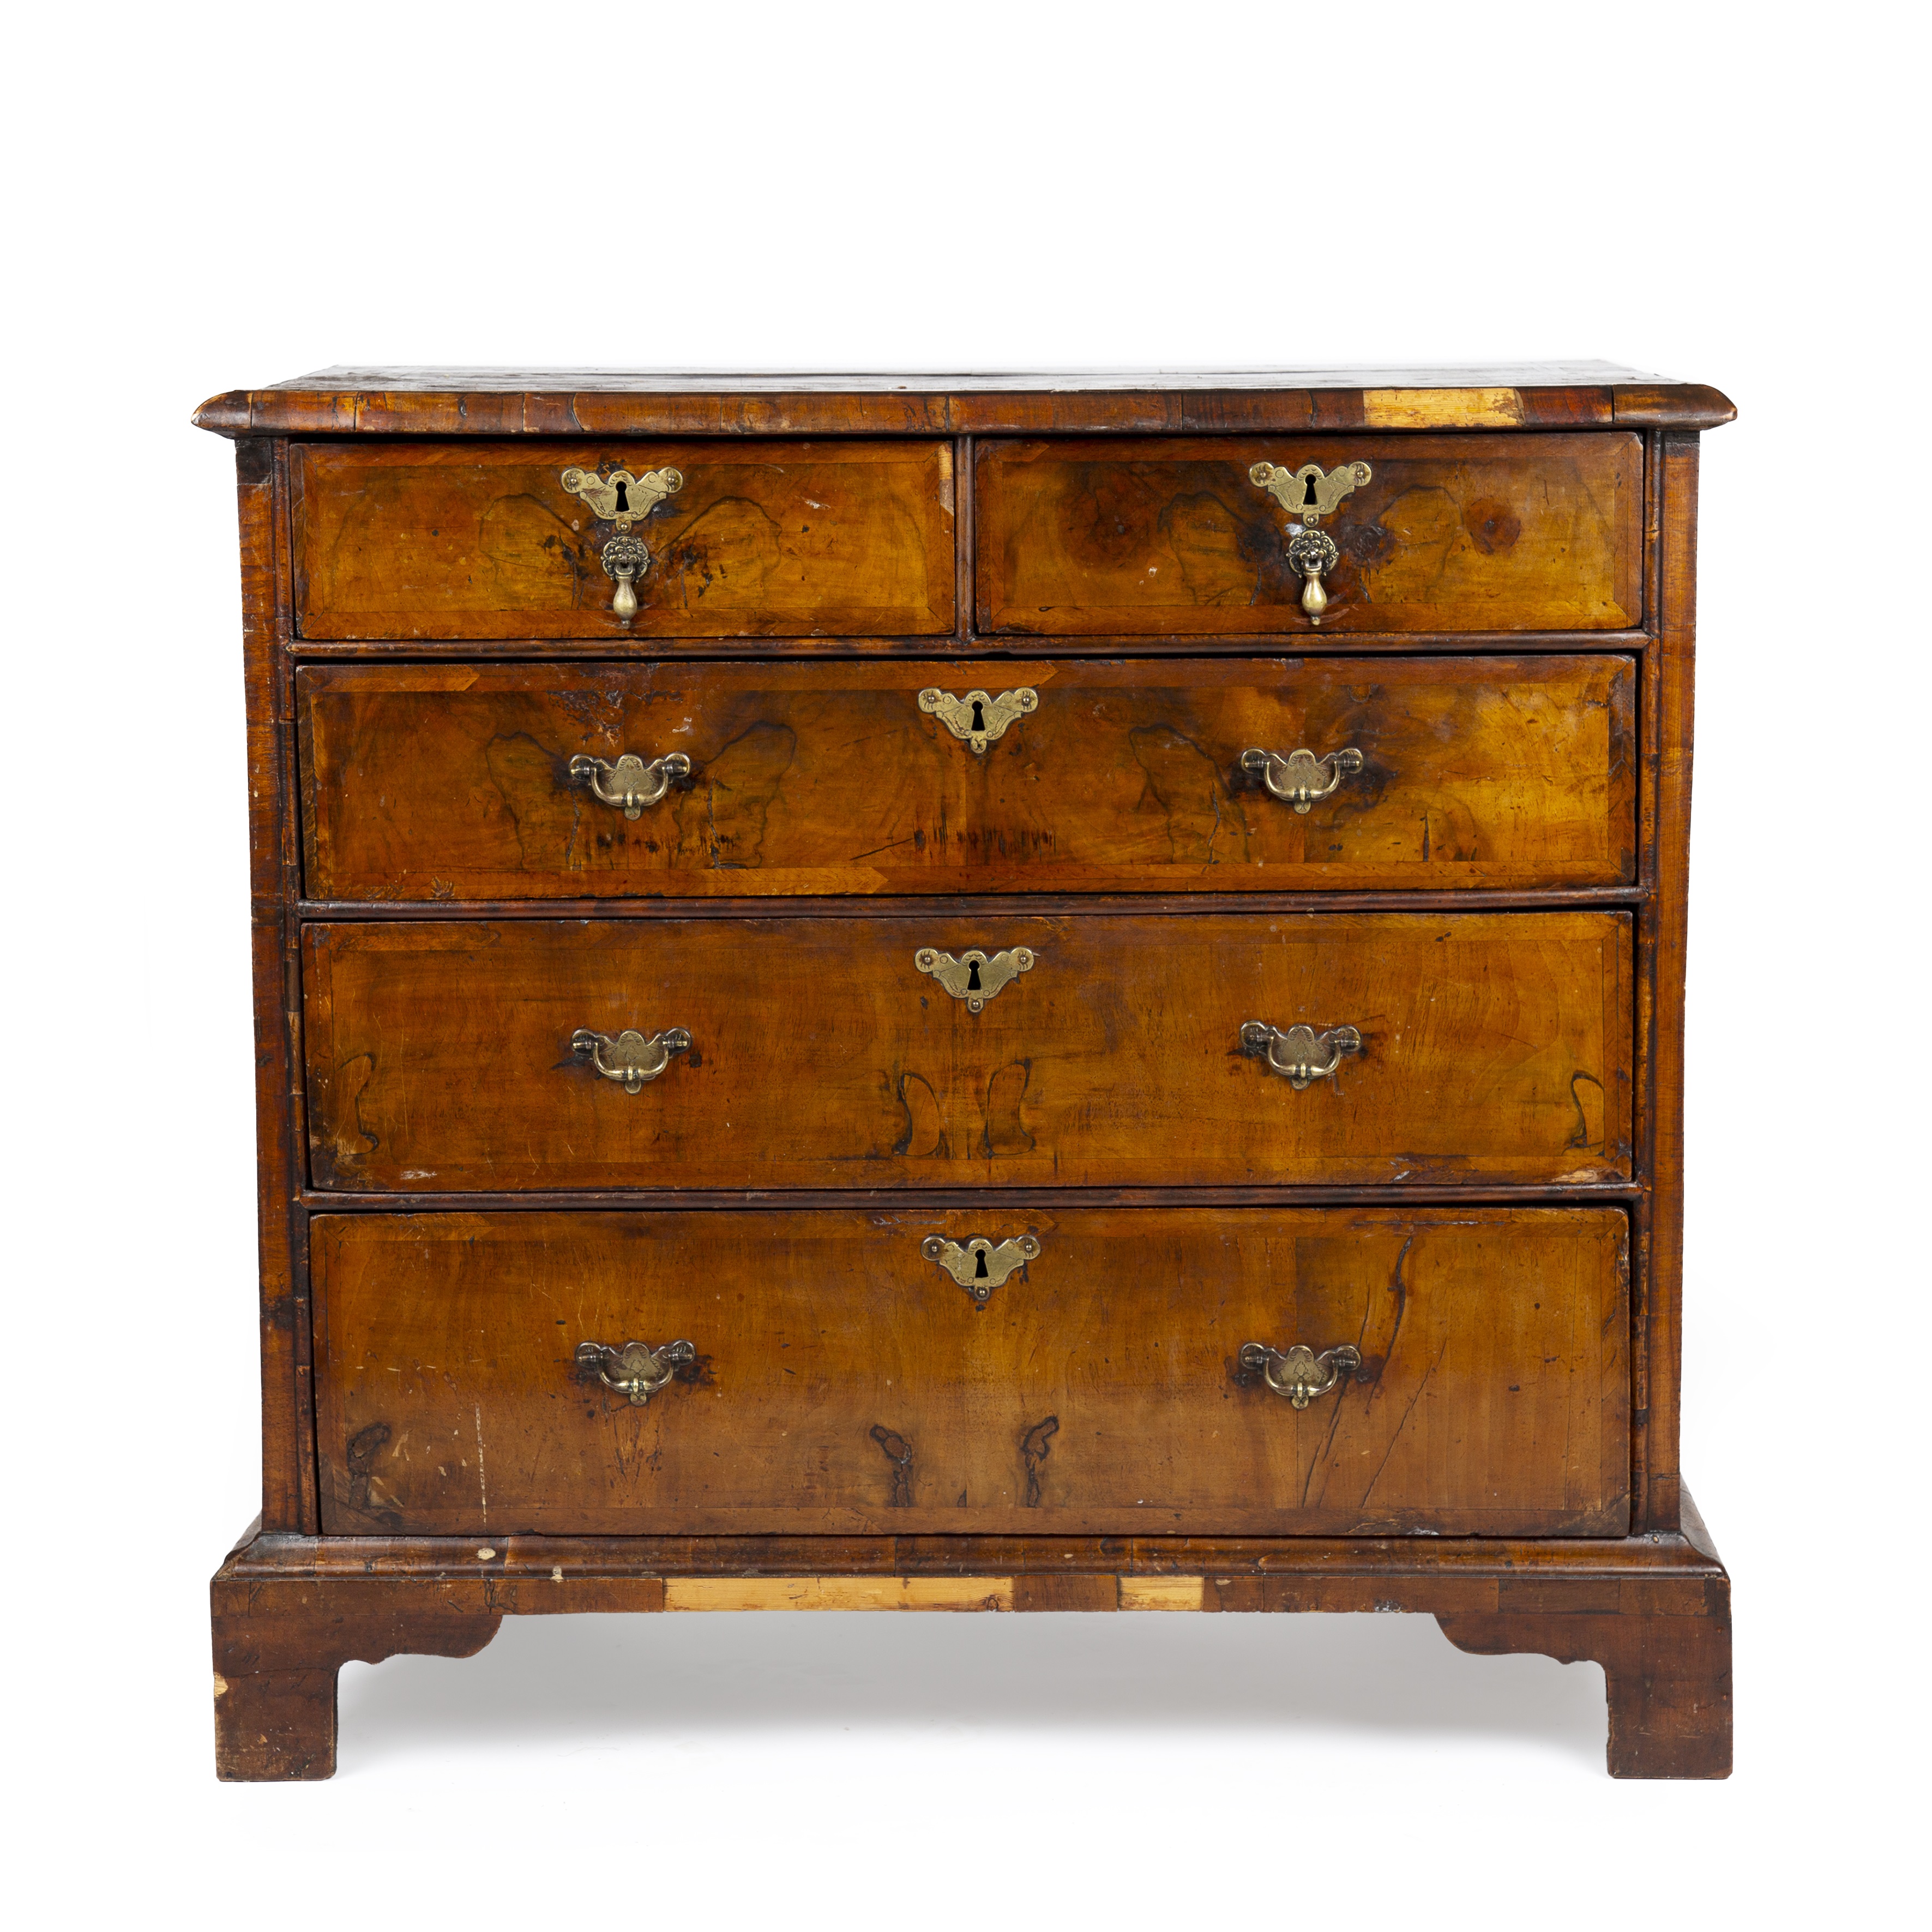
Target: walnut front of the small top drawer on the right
<point x="1168" y="536"/>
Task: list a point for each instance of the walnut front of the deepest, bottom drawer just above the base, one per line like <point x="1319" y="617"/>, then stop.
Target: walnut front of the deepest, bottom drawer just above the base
<point x="843" y="1382"/>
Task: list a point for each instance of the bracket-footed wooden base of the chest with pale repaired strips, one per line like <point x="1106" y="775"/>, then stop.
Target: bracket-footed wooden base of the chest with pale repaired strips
<point x="1655" y="1610"/>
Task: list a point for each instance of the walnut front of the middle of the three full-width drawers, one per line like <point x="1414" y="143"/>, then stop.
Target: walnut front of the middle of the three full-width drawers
<point x="441" y="1056"/>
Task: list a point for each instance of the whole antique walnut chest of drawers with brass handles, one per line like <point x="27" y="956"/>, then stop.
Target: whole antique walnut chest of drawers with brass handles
<point x="971" y="994"/>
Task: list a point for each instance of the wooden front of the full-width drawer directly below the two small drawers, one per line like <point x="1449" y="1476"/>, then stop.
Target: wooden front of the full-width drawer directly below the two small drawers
<point x="457" y="781"/>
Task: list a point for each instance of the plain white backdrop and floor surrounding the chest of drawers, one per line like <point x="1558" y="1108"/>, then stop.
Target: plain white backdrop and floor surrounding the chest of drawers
<point x="213" y="198"/>
